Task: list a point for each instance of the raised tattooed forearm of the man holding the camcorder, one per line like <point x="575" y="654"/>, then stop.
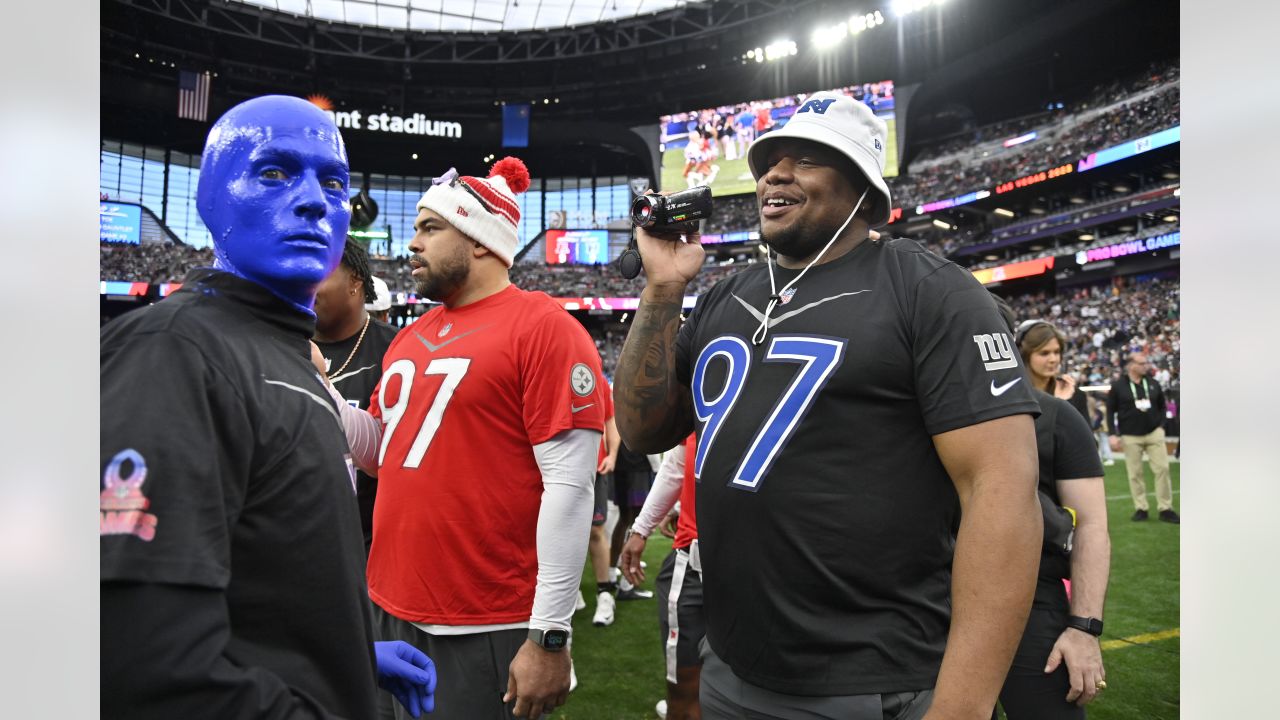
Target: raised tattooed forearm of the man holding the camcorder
<point x="653" y="409"/>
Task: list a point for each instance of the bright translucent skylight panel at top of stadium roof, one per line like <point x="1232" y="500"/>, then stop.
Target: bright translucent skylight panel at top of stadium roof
<point x="470" y="16"/>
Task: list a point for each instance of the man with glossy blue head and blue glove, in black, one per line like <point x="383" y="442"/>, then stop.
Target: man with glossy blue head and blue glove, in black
<point x="232" y="560"/>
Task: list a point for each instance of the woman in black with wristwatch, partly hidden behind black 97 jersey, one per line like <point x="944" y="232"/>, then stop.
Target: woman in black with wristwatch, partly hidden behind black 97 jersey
<point x="1058" y="669"/>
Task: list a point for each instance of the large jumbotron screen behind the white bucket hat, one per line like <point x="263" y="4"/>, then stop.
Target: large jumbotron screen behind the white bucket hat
<point x="725" y="133"/>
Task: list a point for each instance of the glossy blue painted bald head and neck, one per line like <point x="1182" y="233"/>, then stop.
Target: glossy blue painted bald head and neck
<point x="273" y="192"/>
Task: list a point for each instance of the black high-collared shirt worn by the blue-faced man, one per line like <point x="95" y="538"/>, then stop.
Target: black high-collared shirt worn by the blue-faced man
<point x="232" y="564"/>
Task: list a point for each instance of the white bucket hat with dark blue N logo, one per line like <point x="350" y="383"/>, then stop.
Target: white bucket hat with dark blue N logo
<point x="840" y="122"/>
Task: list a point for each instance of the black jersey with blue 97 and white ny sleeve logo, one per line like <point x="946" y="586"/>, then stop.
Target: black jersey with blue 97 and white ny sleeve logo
<point x="825" y="513"/>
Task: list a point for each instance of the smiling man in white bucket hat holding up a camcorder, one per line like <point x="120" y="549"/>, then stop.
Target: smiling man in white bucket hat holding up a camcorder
<point x="866" y="461"/>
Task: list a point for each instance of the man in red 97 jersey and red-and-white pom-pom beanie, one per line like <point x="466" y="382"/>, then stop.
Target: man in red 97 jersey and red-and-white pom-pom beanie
<point x="490" y="418"/>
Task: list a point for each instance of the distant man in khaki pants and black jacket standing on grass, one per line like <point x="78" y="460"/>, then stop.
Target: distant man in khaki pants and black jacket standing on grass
<point x="1137" y="408"/>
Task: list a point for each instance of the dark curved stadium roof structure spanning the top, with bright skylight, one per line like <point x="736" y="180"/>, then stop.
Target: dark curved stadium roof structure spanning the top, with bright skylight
<point x="601" y="71"/>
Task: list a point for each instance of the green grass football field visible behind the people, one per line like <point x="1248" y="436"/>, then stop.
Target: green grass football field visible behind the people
<point x="620" y="668"/>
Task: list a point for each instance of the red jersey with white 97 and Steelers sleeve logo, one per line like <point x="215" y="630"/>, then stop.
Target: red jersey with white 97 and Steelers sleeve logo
<point x="467" y="394"/>
